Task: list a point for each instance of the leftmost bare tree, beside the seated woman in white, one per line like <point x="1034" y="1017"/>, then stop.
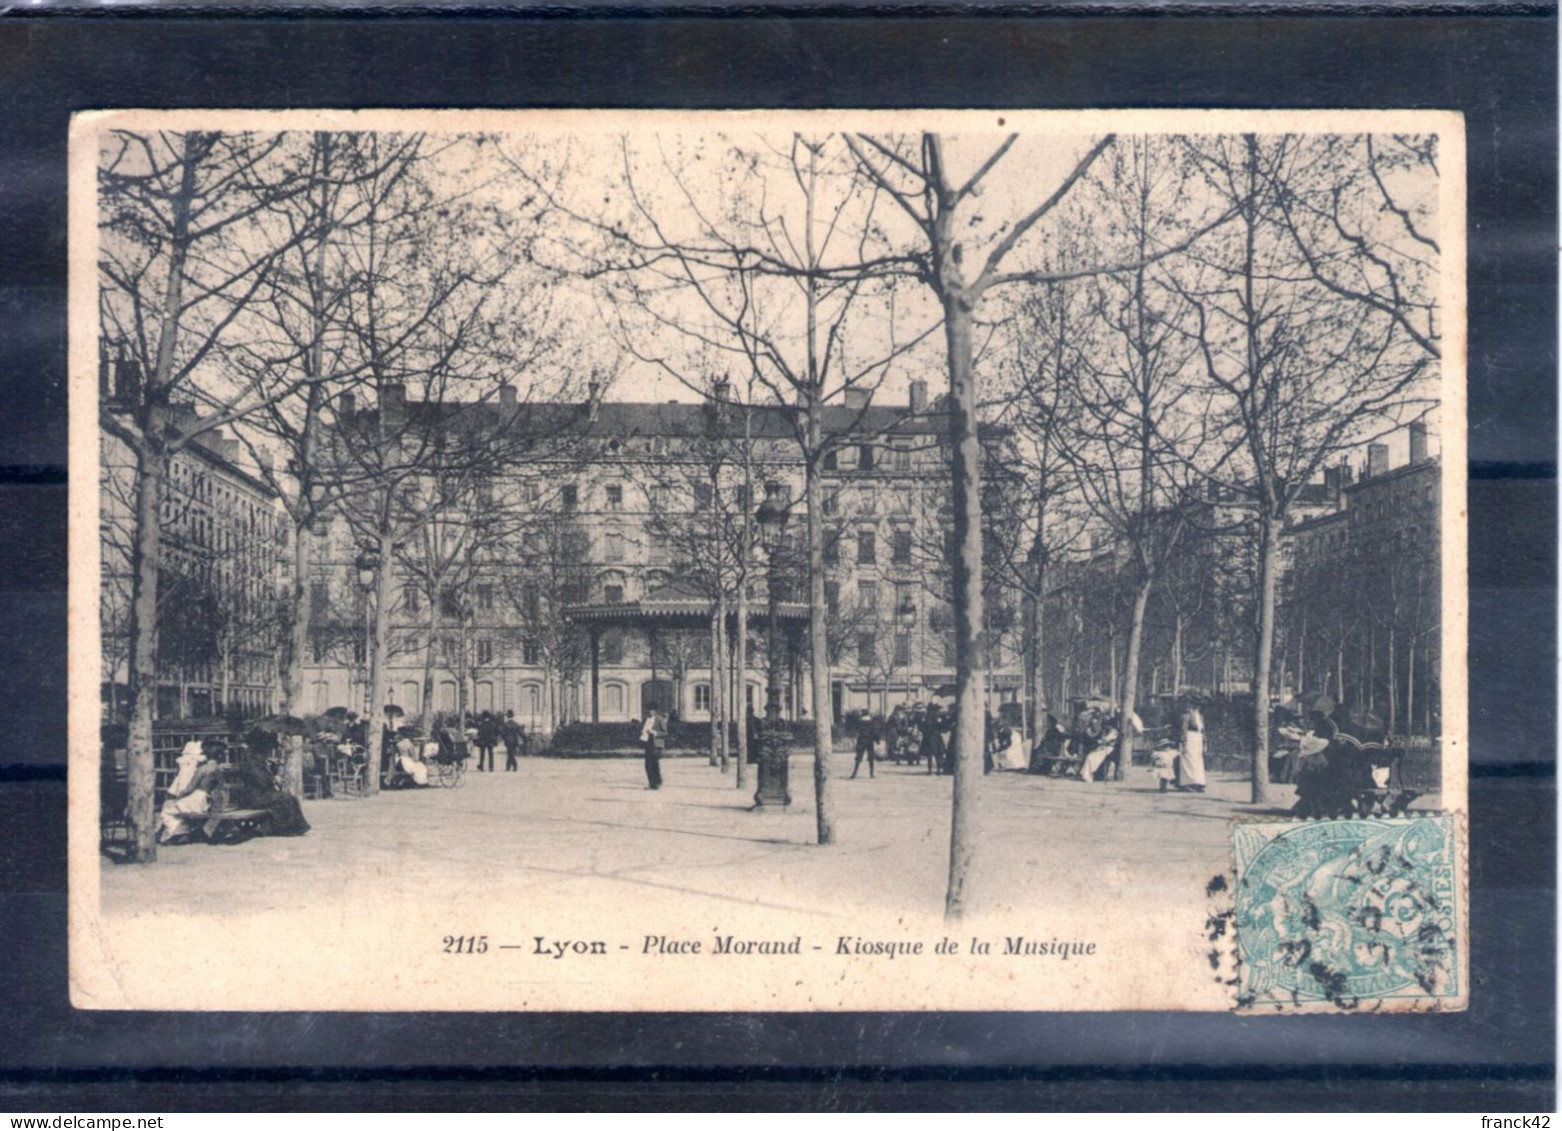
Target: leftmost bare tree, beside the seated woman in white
<point x="184" y="252"/>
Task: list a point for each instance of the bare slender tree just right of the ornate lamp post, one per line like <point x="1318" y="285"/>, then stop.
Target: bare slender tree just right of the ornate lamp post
<point x="776" y="276"/>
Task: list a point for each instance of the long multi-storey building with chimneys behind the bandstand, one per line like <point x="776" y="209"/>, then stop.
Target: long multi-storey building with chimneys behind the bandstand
<point x="562" y="573"/>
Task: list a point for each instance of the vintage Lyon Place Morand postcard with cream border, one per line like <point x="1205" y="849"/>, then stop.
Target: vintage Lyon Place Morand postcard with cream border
<point x="768" y="562"/>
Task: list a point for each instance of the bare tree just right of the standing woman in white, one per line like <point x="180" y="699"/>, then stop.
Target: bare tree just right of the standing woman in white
<point x="1303" y="366"/>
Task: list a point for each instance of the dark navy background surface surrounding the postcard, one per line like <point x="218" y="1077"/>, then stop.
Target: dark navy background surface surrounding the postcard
<point x="1496" y="1058"/>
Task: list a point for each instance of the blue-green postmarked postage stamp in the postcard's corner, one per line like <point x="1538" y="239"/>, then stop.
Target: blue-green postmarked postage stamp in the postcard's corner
<point x="1360" y="915"/>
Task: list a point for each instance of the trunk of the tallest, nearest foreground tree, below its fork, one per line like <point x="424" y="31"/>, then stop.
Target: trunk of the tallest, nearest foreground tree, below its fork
<point x="969" y="640"/>
